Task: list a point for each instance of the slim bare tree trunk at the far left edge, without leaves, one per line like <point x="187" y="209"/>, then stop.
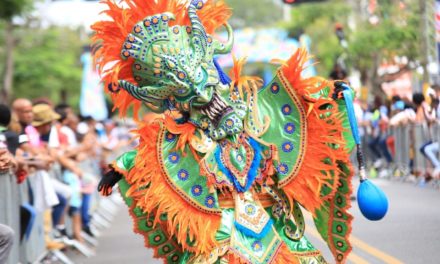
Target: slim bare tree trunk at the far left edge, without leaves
<point x="8" y="73"/>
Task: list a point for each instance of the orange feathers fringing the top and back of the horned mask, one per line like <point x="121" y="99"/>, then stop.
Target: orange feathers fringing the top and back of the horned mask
<point x="110" y="36"/>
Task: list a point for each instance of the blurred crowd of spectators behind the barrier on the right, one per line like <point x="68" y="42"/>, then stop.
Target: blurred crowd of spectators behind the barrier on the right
<point x="379" y="119"/>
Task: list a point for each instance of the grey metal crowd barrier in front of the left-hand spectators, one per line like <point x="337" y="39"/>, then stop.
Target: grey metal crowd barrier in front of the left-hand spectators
<point x="33" y="249"/>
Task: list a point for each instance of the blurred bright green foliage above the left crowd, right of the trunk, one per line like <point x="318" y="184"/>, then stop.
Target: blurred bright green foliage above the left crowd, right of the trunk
<point x="47" y="61"/>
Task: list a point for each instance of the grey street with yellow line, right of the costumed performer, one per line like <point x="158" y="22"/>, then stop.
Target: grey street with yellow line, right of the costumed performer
<point x="410" y="233"/>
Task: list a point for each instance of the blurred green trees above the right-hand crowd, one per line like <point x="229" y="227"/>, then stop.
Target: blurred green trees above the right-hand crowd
<point x="396" y="33"/>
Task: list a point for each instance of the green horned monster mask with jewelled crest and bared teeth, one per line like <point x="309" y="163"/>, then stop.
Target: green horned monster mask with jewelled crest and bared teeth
<point x="174" y="69"/>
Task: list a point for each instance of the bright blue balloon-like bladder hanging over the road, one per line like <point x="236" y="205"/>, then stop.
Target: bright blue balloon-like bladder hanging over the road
<point x="372" y="201"/>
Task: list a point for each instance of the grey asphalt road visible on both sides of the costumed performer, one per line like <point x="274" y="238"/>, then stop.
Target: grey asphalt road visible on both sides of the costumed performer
<point x="410" y="233"/>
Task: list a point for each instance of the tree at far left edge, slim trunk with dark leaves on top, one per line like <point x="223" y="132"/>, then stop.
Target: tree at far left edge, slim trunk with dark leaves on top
<point x="9" y="9"/>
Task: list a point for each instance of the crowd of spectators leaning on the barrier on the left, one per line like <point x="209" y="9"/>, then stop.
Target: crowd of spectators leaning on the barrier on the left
<point x="38" y="139"/>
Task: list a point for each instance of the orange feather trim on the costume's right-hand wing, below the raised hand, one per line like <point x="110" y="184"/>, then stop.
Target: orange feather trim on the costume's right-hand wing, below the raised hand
<point x="324" y="131"/>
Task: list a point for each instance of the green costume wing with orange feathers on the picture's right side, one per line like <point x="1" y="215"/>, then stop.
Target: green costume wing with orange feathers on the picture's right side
<point x="310" y="134"/>
